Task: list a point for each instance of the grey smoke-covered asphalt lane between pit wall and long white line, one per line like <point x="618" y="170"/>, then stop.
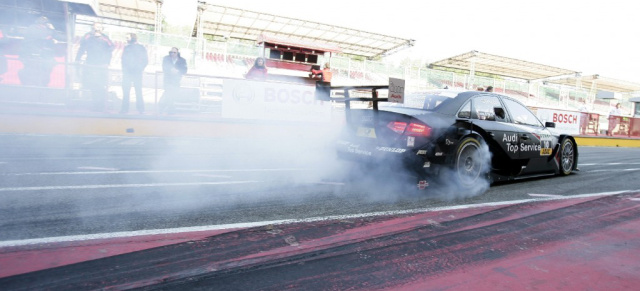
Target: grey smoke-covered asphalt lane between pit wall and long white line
<point x="87" y="185"/>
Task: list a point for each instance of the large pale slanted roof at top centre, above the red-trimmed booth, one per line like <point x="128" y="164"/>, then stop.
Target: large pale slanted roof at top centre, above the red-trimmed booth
<point x="228" y="22"/>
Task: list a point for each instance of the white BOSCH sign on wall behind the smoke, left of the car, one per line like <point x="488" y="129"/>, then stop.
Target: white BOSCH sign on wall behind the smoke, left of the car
<point x="244" y="99"/>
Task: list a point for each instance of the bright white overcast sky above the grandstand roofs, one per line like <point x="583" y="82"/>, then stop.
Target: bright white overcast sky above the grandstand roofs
<point x="591" y="37"/>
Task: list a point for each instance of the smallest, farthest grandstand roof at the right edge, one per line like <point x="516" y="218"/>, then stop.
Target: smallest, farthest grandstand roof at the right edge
<point x="596" y="82"/>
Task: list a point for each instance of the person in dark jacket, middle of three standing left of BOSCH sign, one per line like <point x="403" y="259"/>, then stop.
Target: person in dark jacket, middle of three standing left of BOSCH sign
<point x="134" y="60"/>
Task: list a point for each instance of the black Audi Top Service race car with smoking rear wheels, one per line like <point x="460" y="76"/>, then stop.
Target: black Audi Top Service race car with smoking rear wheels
<point x="467" y="137"/>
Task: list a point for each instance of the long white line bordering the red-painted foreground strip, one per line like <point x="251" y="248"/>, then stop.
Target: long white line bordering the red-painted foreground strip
<point x="13" y="243"/>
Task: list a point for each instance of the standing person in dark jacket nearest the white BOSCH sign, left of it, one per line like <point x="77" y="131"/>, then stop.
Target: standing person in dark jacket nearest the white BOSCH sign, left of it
<point x="173" y="66"/>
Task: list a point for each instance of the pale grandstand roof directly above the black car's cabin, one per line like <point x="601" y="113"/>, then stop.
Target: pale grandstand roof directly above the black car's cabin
<point x="475" y="61"/>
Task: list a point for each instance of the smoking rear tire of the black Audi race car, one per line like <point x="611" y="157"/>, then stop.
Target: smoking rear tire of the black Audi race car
<point x="470" y="163"/>
